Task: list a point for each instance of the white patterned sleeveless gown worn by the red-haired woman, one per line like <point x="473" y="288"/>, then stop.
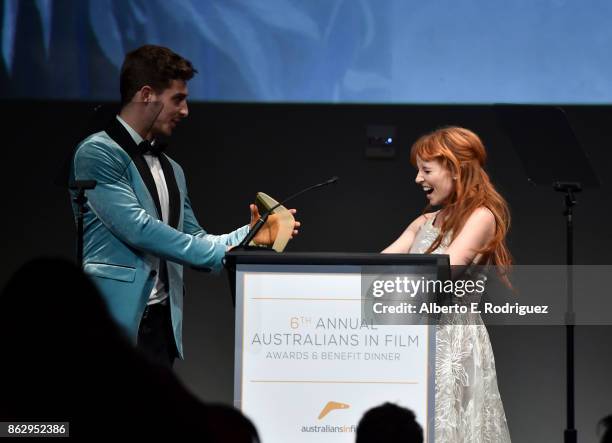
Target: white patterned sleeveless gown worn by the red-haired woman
<point x="468" y="407"/>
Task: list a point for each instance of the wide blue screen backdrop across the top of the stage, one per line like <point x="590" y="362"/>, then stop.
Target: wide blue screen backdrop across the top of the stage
<point x="325" y="51"/>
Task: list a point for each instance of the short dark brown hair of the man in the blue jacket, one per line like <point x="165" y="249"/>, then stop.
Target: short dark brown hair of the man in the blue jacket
<point x="152" y="65"/>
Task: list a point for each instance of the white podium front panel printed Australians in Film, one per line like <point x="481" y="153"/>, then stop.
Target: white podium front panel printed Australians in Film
<point x="307" y="366"/>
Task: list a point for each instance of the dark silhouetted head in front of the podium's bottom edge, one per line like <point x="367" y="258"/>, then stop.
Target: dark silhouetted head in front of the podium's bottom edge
<point x="389" y="423"/>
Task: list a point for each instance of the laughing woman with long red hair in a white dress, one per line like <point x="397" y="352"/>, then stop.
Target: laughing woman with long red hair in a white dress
<point x="471" y="227"/>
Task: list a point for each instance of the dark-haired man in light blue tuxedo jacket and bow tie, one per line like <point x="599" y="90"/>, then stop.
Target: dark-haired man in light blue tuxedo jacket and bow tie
<point x="140" y="229"/>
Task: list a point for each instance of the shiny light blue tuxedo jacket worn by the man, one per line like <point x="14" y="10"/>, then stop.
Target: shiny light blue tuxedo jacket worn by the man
<point x="123" y="228"/>
